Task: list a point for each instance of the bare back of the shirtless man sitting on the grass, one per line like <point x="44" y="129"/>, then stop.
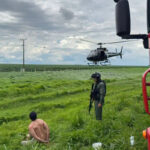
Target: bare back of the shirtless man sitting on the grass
<point x="39" y="130"/>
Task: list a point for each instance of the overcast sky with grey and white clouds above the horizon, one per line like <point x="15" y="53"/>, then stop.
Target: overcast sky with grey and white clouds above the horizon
<point x="53" y="28"/>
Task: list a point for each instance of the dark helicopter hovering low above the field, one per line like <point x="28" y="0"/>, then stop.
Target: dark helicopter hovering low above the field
<point x="101" y="54"/>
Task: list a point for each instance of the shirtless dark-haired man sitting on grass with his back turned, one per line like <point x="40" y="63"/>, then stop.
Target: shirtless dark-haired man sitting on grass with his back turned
<point x="38" y="130"/>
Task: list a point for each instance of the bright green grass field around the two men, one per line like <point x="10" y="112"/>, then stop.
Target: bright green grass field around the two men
<point x="61" y="98"/>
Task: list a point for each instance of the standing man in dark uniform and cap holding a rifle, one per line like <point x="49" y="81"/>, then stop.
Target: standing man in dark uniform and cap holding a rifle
<point x="98" y="93"/>
